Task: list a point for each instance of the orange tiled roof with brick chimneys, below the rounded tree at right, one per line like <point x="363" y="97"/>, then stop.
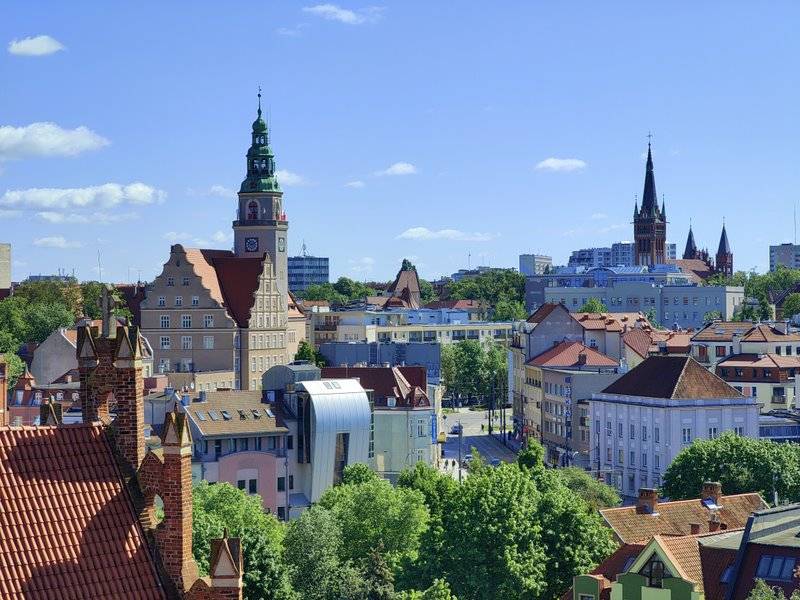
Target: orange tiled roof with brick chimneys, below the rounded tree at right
<point x="675" y="518"/>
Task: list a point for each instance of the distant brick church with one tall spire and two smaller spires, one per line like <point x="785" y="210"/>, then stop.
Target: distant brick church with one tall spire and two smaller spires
<point x="650" y="235"/>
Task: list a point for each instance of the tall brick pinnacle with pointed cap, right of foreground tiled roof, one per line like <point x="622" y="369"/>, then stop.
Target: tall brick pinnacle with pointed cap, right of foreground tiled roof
<point x="174" y="533"/>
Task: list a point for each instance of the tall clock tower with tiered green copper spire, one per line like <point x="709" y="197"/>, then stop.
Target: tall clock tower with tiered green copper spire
<point x="261" y="224"/>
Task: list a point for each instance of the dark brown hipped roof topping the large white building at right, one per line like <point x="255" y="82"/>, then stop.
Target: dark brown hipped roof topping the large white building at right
<point x="675" y="377"/>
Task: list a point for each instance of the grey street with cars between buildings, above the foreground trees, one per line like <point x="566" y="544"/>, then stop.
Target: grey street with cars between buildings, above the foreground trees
<point x="488" y="447"/>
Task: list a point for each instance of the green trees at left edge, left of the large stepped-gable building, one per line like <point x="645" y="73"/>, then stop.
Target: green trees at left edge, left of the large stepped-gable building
<point x="38" y="308"/>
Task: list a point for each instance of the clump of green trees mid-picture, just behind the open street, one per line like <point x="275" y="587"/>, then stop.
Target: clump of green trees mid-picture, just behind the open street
<point x="470" y="369"/>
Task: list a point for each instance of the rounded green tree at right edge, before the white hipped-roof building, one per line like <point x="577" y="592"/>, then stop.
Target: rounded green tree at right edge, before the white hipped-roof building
<point x="741" y="464"/>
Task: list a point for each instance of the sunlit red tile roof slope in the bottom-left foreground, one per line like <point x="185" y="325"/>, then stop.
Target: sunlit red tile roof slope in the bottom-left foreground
<point x="67" y="525"/>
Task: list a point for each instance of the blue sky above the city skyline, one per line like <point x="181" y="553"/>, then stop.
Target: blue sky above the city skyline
<point x="405" y="129"/>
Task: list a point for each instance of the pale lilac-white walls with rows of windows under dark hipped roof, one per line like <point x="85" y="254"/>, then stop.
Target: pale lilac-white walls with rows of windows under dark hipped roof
<point x="664" y="421"/>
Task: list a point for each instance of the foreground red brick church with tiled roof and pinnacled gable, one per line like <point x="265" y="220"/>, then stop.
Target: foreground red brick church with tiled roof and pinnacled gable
<point x="77" y="518"/>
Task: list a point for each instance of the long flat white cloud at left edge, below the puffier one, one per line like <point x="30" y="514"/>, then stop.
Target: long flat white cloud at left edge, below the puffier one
<point x="99" y="196"/>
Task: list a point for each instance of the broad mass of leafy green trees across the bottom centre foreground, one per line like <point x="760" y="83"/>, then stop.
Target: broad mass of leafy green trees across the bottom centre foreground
<point x="514" y="531"/>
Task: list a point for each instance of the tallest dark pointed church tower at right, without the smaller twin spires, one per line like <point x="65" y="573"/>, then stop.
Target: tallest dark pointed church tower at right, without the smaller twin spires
<point x="650" y="222"/>
